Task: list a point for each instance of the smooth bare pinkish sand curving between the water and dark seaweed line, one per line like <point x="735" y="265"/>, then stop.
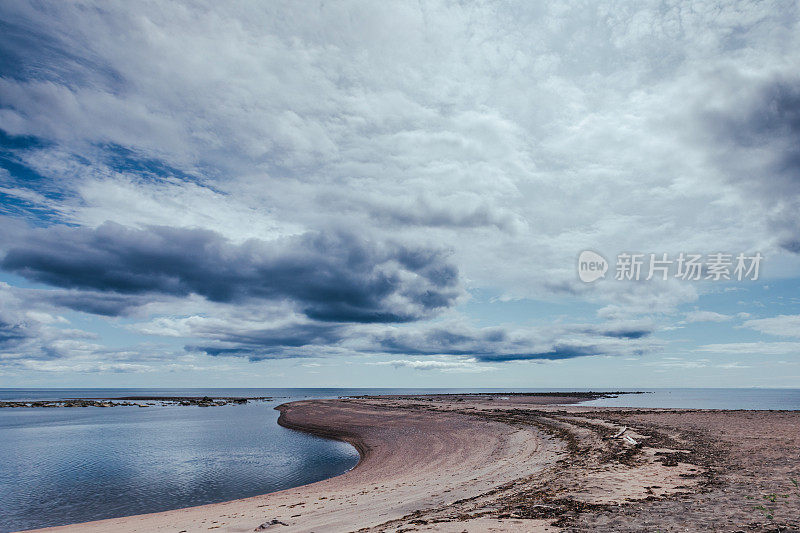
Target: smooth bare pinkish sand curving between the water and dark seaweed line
<point x="409" y="462"/>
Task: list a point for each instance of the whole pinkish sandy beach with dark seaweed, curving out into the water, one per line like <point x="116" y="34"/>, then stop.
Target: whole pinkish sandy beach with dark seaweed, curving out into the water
<point x="522" y="463"/>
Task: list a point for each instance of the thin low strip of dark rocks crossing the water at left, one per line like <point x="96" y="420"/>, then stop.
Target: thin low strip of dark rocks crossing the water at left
<point x="136" y="401"/>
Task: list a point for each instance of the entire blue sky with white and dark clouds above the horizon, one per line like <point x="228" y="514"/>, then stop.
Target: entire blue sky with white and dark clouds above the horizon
<point x="396" y="194"/>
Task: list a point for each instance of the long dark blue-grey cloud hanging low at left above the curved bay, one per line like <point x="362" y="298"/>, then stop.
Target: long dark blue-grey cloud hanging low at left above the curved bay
<point x="330" y="277"/>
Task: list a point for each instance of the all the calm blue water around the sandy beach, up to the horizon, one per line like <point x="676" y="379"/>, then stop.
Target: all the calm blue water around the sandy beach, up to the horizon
<point x="66" y="465"/>
